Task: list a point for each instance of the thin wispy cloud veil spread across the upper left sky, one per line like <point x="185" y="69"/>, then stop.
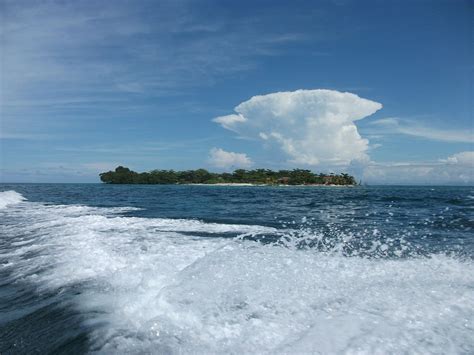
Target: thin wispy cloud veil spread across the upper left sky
<point x="61" y="51"/>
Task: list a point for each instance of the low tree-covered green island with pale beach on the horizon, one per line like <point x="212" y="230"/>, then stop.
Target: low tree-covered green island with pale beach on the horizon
<point x="123" y="175"/>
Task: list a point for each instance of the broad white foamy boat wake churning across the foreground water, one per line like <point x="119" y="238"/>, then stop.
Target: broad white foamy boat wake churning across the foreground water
<point x="151" y="288"/>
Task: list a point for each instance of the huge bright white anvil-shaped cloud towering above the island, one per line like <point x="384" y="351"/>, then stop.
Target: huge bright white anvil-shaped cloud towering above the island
<point x="310" y="127"/>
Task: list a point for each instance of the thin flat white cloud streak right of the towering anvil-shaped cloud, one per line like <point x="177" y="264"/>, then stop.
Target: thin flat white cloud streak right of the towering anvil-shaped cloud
<point x="394" y="125"/>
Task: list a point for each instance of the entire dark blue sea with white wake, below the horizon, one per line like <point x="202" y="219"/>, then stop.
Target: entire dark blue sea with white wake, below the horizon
<point x="91" y="268"/>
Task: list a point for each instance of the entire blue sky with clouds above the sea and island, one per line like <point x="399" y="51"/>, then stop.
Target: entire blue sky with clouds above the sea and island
<point x="380" y="89"/>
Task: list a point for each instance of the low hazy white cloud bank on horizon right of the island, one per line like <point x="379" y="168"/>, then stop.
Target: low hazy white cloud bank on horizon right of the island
<point x="456" y="169"/>
